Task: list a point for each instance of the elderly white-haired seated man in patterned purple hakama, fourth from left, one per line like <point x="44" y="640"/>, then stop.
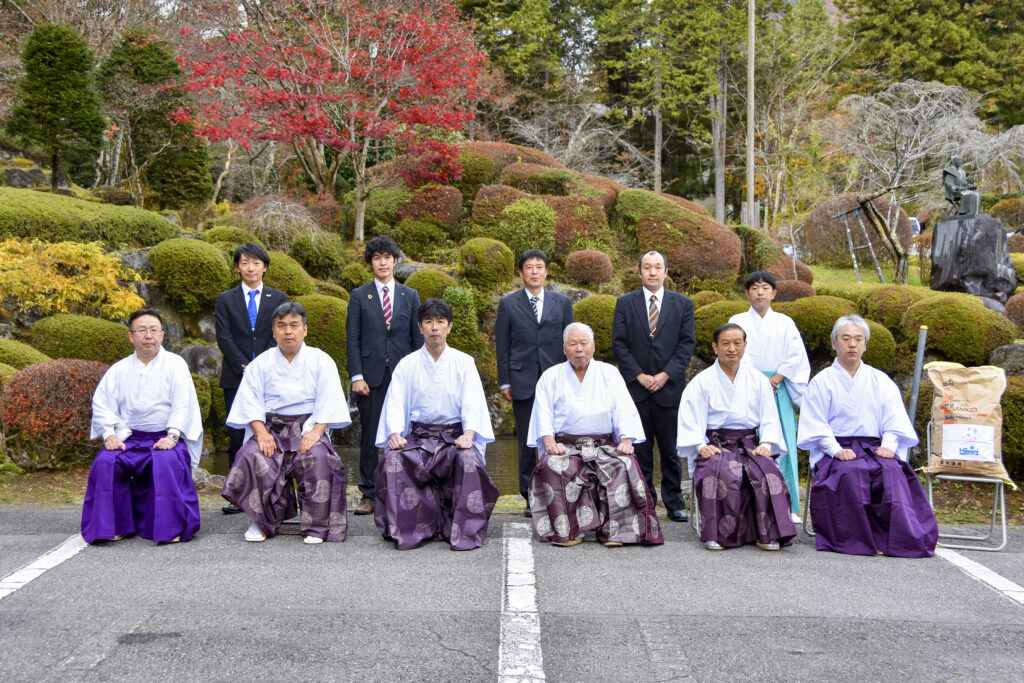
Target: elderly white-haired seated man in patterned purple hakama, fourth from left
<point x="585" y="424"/>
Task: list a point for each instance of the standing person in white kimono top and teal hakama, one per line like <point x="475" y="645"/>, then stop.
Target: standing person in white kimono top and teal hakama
<point x="776" y="348"/>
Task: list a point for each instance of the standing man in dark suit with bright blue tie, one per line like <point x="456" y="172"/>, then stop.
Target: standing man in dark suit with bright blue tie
<point x="244" y="318"/>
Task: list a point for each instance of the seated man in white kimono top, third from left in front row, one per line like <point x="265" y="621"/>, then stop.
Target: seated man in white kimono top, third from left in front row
<point x="432" y="484"/>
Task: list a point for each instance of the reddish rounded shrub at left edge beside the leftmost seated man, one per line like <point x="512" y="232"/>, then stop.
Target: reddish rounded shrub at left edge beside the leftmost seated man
<point x="48" y="413"/>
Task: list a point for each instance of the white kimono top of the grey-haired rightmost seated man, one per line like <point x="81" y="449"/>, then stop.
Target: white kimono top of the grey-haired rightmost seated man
<point x="867" y="405"/>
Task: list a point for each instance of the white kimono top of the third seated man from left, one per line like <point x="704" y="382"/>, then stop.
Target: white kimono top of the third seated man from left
<point x="442" y="393"/>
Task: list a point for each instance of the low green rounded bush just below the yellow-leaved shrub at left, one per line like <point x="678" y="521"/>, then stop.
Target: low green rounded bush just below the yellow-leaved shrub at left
<point x="67" y="336"/>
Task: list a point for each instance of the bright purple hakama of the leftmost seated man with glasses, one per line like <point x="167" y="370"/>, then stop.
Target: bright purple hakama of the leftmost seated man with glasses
<point x="142" y="491"/>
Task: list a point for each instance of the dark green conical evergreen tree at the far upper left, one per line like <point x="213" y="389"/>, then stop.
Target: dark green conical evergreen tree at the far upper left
<point x="58" y="108"/>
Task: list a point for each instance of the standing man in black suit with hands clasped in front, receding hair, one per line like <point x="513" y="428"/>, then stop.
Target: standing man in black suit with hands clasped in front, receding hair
<point x="653" y="337"/>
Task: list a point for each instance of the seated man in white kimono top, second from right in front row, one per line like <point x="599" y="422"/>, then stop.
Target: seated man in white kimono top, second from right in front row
<point x="729" y="433"/>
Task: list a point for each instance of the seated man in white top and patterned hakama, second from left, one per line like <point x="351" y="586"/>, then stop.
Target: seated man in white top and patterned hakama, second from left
<point x="290" y="397"/>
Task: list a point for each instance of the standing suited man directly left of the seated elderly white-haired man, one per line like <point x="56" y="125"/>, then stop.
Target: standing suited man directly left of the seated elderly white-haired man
<point x="529" y="340"/>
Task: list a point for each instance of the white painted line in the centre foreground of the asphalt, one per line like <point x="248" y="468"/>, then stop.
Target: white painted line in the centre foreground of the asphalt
<point x="520" y="657"/>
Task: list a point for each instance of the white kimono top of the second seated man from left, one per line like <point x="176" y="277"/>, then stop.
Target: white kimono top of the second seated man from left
<point x="309" y="385"/>
